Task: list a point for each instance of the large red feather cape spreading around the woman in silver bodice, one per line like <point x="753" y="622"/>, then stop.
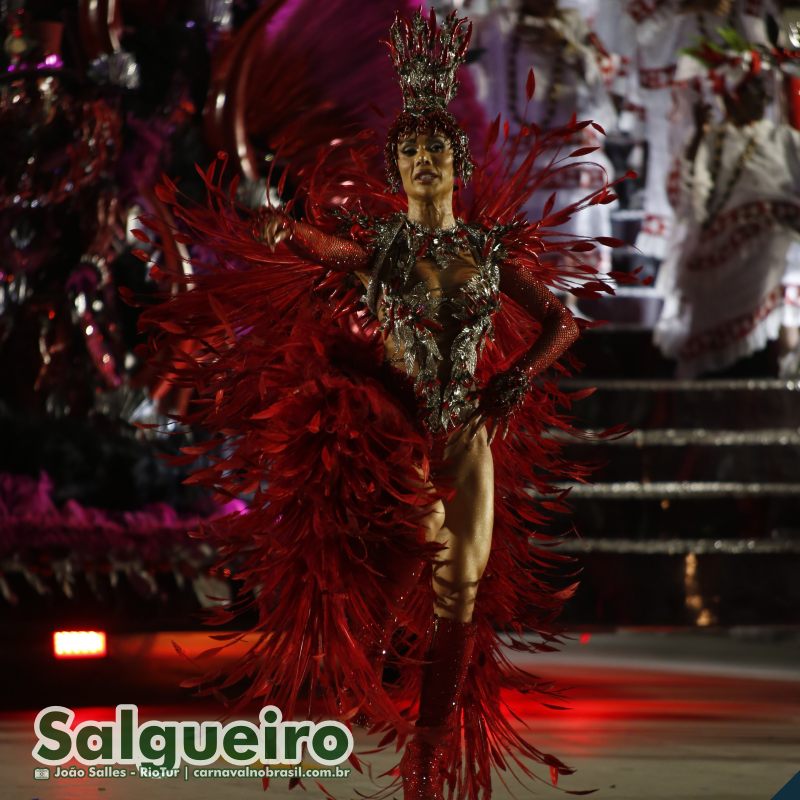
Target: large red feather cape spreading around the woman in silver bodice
<point x="284" y="366"/>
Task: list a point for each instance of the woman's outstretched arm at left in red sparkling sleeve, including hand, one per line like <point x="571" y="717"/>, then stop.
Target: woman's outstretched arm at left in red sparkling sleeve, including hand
<point x="333" y="252"/>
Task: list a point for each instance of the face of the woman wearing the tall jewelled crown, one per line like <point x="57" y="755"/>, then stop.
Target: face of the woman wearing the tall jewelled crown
<point x="425" y="162"/>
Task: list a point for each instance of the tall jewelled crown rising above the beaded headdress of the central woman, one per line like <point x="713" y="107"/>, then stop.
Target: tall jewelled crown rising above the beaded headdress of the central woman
<point x="426" y="58"/>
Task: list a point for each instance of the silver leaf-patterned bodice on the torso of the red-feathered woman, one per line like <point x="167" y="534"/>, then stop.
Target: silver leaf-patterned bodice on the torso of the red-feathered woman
<point x="411" y="314"/>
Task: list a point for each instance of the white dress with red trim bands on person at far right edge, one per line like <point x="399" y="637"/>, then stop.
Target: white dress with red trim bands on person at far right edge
<point x="728" y="288"/>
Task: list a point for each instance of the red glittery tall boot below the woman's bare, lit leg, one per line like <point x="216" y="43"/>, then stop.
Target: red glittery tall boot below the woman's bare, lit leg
<point x="448" y="659"/>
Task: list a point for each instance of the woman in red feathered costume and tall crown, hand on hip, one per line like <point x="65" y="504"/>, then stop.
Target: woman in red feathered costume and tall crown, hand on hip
<point x="373" y="378"/>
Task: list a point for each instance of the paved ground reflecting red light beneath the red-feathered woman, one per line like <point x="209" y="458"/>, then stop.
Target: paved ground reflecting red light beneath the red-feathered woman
<point x="654" y="717"/>
